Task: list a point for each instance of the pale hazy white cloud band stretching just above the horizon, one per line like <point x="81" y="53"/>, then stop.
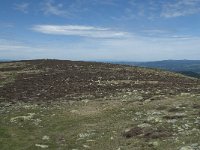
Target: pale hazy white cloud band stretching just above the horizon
<point x="134" y="48"/>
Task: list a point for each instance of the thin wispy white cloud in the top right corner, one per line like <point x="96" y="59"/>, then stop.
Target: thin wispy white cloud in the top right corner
<point x="180" y="8"/>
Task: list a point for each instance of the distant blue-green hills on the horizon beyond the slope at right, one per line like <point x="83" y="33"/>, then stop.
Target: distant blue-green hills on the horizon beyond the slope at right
<point x="186" y="67"/>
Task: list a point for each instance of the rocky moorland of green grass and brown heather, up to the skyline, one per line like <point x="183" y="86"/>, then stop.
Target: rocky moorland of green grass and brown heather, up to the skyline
<point x="58" y="104"/>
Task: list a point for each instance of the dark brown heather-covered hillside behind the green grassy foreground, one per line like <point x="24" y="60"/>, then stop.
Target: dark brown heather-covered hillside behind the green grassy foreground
<point x="53" y="79"/>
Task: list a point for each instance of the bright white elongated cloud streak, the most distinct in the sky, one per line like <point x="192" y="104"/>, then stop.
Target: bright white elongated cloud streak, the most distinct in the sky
<point x="78" y="30"/>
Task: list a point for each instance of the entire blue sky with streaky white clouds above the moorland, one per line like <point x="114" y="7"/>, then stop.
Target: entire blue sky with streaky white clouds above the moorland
<point x="120" y="30"/>
